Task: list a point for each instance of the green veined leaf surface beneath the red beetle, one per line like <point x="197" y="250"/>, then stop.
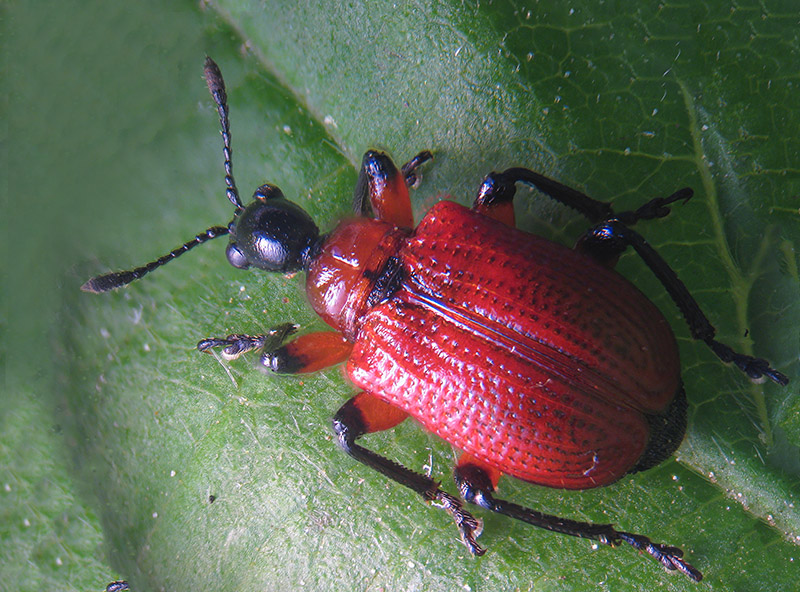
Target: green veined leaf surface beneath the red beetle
<point x="625" y="102"/>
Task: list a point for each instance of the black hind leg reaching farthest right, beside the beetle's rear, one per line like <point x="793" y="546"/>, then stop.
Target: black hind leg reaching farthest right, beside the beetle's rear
<point x="612" y="237"/>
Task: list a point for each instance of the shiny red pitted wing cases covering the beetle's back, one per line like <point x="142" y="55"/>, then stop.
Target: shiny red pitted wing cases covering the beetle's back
<point x="533" y="358"/>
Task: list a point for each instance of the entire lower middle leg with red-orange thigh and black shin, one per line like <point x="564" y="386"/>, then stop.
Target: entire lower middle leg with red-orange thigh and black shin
<point x="365" y="414"/>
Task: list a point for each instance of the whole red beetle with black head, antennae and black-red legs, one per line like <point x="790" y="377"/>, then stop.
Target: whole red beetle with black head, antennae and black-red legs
<point x="536" y="361"/>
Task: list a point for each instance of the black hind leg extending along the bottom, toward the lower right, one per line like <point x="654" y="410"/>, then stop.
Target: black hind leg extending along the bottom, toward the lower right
<point x="476" y="488"/>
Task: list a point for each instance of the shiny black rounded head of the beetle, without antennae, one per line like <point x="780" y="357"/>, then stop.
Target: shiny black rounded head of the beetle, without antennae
<point x="271" y="233"/>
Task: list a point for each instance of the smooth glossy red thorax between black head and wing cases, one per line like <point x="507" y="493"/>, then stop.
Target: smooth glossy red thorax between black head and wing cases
<point x="351" y="271"/>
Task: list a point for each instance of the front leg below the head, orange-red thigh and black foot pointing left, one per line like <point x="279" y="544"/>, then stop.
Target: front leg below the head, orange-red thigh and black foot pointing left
<point x="307" y="353"/>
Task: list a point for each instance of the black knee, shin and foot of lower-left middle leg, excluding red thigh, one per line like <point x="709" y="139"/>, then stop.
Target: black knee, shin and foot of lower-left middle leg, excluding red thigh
<point x="349" y="425"/>
